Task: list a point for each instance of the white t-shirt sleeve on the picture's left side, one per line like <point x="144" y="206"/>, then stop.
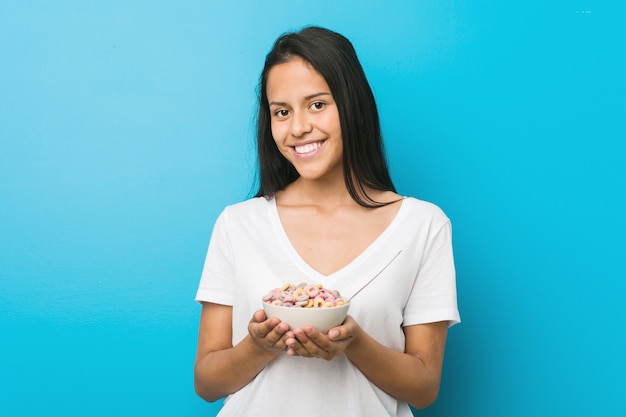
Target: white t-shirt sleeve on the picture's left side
<point x="216" y="283"/>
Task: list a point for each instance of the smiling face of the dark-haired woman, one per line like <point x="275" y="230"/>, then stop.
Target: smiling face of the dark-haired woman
<point x="305" y="120"/>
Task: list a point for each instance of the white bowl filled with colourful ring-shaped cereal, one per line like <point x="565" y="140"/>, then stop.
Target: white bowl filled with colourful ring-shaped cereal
<point x="305" y="304"/>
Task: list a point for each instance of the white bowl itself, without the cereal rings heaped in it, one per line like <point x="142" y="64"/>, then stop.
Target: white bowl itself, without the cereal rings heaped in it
<point x="323" y="319"/>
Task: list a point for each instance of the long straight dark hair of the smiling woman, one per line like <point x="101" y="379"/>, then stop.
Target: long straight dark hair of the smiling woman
<point x="334" y="57"/>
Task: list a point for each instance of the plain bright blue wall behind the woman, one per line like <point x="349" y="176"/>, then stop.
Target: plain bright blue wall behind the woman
<point x="126" y="126"/>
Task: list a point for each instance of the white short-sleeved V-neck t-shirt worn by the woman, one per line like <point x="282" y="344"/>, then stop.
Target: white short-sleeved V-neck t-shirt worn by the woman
<point x="250" y="254"/>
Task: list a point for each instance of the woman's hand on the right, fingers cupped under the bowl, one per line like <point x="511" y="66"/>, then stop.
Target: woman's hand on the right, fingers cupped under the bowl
<point x="311" y="343"/>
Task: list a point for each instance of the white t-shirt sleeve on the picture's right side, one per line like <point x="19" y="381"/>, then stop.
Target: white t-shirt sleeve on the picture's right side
<point x="433" y="297"/>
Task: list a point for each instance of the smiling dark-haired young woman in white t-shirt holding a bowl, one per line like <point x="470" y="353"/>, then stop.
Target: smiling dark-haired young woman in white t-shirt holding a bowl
<point x="326" y="212"/>
